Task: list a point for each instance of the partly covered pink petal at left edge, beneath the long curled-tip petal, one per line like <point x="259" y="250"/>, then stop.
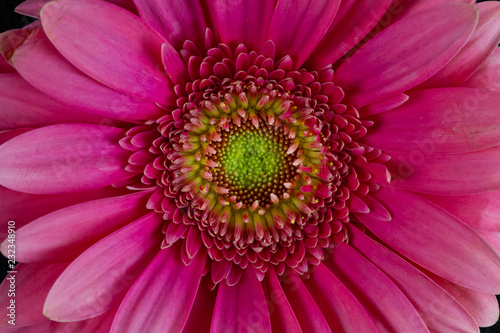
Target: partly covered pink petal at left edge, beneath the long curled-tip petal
<point x="24" y="106"/>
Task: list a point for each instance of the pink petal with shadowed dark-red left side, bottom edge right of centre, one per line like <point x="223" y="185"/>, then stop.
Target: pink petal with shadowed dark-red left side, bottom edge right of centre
<point x="343" y="312"/>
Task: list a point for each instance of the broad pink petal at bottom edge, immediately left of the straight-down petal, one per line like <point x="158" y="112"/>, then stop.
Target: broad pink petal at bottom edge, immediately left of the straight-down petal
<point x="161" y="298"/>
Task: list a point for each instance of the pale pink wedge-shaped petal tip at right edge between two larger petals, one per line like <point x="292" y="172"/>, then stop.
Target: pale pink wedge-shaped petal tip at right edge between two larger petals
<point x="480" y="211"/>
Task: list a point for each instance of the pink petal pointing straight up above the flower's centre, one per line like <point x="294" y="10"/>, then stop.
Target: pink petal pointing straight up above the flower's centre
<point x="244" y="22"/>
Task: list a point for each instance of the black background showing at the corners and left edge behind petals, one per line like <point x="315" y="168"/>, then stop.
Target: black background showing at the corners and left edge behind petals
<point x="11" y="20"/>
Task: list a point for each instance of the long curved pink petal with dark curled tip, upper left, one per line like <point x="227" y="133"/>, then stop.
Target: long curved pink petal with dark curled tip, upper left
<point x="27" y="48"/>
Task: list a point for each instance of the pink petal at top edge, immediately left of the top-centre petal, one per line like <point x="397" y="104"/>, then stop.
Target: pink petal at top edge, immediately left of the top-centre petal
<point x="176" y="20"/>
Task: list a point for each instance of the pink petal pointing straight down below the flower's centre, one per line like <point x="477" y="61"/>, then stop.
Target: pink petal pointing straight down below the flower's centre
<point x="241" y="308"/>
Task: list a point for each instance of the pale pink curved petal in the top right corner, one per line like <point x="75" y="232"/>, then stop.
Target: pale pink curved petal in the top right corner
<point x="482" y="43"/>
